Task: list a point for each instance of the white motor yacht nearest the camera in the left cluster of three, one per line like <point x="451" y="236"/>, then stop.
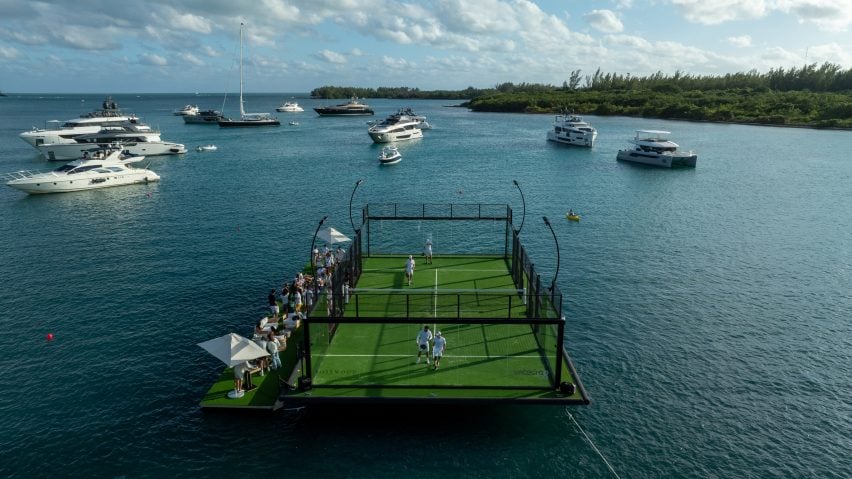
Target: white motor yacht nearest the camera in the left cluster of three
<point x="103" y="169"/>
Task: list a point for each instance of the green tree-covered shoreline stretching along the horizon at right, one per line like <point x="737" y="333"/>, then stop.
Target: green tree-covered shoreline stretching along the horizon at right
<point x="813" y="96"/>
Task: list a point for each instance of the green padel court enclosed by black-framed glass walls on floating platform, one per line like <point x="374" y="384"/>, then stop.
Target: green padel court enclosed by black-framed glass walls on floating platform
<point x="503" y="329"/>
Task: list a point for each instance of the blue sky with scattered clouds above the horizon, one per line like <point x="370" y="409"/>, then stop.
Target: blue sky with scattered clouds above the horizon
<point x="153" y="46"/>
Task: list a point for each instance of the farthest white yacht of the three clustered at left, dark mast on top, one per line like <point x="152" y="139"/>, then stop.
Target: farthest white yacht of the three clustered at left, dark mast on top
<point x="59" y="132"/>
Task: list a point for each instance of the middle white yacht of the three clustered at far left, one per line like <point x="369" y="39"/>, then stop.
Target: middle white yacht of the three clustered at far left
<point x="130" y="138"/>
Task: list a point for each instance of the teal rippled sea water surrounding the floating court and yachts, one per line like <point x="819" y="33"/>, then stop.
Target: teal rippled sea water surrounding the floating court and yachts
<point x="708" y="308"/>
